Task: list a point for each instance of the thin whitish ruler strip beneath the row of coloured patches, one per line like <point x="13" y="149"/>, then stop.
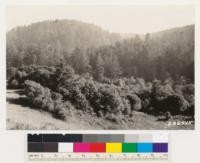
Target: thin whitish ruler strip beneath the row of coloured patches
<point x="94" y="156"/>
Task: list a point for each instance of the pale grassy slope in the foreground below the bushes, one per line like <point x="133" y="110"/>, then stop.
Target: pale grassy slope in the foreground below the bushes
<point x="20" y="116"/>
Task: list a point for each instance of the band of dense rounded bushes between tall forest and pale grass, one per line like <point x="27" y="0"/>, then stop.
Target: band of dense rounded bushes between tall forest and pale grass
<point x="55" y="89"/>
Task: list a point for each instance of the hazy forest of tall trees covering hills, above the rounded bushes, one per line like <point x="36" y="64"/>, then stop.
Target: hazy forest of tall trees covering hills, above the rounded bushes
<point x="89" y="49"/>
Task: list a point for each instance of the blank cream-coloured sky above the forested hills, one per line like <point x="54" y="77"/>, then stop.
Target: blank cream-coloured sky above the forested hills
<point x="138" y="19"/>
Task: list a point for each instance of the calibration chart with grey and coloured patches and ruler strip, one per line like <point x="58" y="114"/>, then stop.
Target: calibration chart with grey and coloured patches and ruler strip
<point x="97" y="147"/>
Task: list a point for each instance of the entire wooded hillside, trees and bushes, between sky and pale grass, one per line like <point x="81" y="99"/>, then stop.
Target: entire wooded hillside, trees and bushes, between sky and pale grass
<point x="63" y="66"/>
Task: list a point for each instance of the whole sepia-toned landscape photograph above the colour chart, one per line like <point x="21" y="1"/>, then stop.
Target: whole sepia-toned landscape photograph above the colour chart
<point x="103" y="67"/>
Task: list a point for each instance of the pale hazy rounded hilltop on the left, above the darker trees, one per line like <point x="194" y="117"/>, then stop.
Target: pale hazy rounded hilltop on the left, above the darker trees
<point x="67" y="34"/>
